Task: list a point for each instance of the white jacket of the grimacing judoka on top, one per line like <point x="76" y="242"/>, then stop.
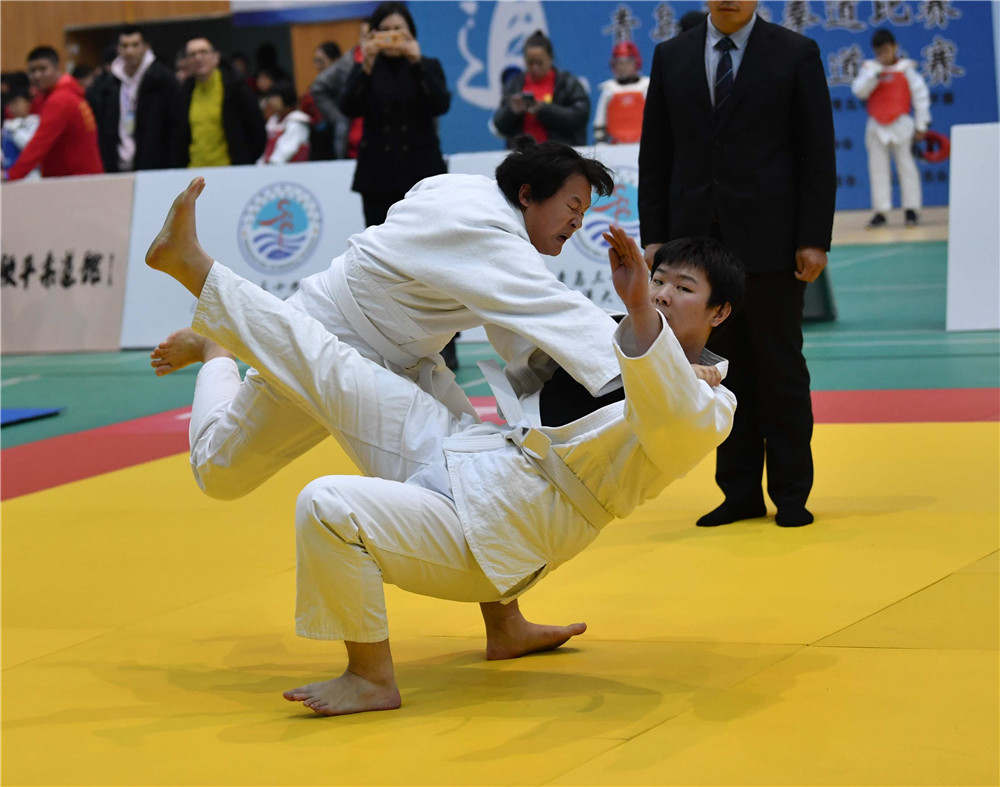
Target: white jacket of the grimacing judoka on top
<point x="453" y="255"/>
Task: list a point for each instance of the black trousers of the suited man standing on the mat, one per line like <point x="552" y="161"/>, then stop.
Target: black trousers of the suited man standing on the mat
<point x="768" y="374"/>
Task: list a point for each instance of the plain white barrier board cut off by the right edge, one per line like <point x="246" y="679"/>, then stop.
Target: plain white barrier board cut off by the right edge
<point x="974" y="229"/>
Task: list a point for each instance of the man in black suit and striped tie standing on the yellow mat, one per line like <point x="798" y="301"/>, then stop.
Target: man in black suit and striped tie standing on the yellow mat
<point x="737" y="144"/>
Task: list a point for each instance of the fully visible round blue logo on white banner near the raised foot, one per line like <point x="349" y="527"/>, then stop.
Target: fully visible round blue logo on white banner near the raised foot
<point x="279" y="228"/>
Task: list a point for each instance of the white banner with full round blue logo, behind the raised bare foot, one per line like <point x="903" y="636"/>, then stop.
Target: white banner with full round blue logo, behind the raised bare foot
<point x="272" y="225"/>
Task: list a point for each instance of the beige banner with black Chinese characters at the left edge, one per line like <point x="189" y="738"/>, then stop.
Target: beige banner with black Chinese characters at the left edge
<point x="64" y="245"/>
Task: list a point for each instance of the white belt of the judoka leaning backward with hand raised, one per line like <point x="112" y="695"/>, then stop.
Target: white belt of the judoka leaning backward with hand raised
<point x="537" y="446"/>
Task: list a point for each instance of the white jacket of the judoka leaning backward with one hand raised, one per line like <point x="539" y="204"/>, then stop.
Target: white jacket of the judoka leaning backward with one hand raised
<point x="521" y="527"/>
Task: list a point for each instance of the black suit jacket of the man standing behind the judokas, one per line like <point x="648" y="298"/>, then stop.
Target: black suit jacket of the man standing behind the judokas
<point x="763" y="168"/>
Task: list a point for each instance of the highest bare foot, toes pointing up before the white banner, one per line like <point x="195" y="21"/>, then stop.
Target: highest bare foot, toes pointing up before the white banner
<point x="175" y="250"/>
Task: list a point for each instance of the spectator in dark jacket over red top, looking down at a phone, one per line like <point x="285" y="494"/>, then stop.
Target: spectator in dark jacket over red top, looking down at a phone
<point x="543" y="102"/>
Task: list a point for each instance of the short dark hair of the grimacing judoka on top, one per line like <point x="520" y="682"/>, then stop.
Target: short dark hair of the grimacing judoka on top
<point x="545" y="168"/>
